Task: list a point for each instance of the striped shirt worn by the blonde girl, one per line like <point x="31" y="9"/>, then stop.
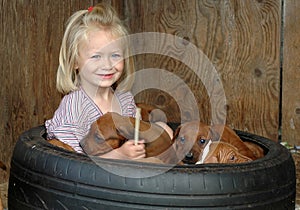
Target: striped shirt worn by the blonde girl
<point x="75" y="114"/>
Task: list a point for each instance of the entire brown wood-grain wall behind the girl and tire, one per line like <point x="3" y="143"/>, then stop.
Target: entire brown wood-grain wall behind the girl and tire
<point x="253" y="44"/>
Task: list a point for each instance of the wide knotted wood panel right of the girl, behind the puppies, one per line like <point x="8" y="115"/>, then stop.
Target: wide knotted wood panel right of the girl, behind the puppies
<point x="242" y="40"/>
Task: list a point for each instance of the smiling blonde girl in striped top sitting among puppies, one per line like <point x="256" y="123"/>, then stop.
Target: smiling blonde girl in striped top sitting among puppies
<point x="92" y="61"/>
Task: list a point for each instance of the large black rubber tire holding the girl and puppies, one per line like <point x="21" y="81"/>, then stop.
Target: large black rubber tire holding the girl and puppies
<point x="43" y="176"/>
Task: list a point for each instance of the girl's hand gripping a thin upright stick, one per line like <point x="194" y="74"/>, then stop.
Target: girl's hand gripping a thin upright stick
<point x="132" y="151"/>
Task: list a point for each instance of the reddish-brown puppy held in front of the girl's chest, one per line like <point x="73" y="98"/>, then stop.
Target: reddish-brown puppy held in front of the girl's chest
<point x="111" y="130"/>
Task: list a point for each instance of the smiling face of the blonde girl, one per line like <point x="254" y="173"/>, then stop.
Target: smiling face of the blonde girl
<point x="100" y="61"/>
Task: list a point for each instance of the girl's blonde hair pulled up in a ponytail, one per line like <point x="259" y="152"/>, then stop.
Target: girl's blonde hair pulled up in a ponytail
<point x="78" y="25"/>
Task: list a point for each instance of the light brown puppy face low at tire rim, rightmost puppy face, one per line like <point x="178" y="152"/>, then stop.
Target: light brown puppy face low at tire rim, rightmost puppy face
<point x="223" y="152"/>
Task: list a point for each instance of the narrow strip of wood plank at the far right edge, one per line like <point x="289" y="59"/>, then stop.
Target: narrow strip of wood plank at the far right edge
<point x="291" y="74"/>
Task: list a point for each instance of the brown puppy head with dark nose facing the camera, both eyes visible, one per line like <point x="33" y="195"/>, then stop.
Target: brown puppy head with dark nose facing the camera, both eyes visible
<point x="190" y="139"/>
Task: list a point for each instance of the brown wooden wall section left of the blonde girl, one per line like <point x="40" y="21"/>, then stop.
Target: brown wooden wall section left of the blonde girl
<point x="31" y="33"/>
